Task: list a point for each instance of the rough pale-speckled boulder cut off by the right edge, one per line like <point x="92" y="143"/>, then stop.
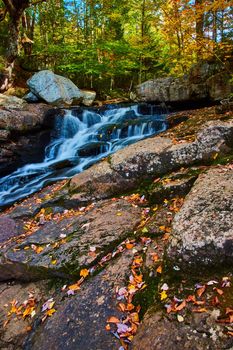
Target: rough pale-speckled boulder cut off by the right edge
<point x="202" y="230"/>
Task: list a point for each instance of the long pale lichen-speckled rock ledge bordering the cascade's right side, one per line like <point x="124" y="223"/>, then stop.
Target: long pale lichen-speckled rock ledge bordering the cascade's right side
<point x="149" y="158"/>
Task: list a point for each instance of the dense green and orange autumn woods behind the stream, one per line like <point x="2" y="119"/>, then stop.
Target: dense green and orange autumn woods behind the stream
<point x="114" y="44"/>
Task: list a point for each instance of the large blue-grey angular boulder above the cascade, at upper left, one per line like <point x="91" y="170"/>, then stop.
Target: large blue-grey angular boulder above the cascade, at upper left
<point x="53" y="88"/>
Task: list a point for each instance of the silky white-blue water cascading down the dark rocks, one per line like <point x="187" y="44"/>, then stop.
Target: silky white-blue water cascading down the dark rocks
<point x="80" y="138"/>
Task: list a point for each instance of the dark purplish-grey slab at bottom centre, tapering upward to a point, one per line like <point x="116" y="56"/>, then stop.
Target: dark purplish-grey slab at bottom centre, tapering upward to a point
<point x="80" y="321"/>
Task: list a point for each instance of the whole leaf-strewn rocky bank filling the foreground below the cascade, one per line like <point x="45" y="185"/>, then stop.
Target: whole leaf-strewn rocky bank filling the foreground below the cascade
<point x="135" y="252"/>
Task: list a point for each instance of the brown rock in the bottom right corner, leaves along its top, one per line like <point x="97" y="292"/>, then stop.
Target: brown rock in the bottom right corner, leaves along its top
<point x="197" y="332"/>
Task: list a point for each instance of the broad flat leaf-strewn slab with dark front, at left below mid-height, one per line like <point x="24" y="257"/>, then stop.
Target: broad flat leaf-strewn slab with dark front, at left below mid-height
<point x="62" y="247"/>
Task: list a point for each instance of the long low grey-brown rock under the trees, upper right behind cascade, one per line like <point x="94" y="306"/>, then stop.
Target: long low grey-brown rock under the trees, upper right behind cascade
<point x="204" y="82"/>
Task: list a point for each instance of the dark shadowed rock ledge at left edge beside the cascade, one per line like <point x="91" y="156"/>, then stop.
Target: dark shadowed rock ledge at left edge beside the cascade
<point x="21" y="132"/>
